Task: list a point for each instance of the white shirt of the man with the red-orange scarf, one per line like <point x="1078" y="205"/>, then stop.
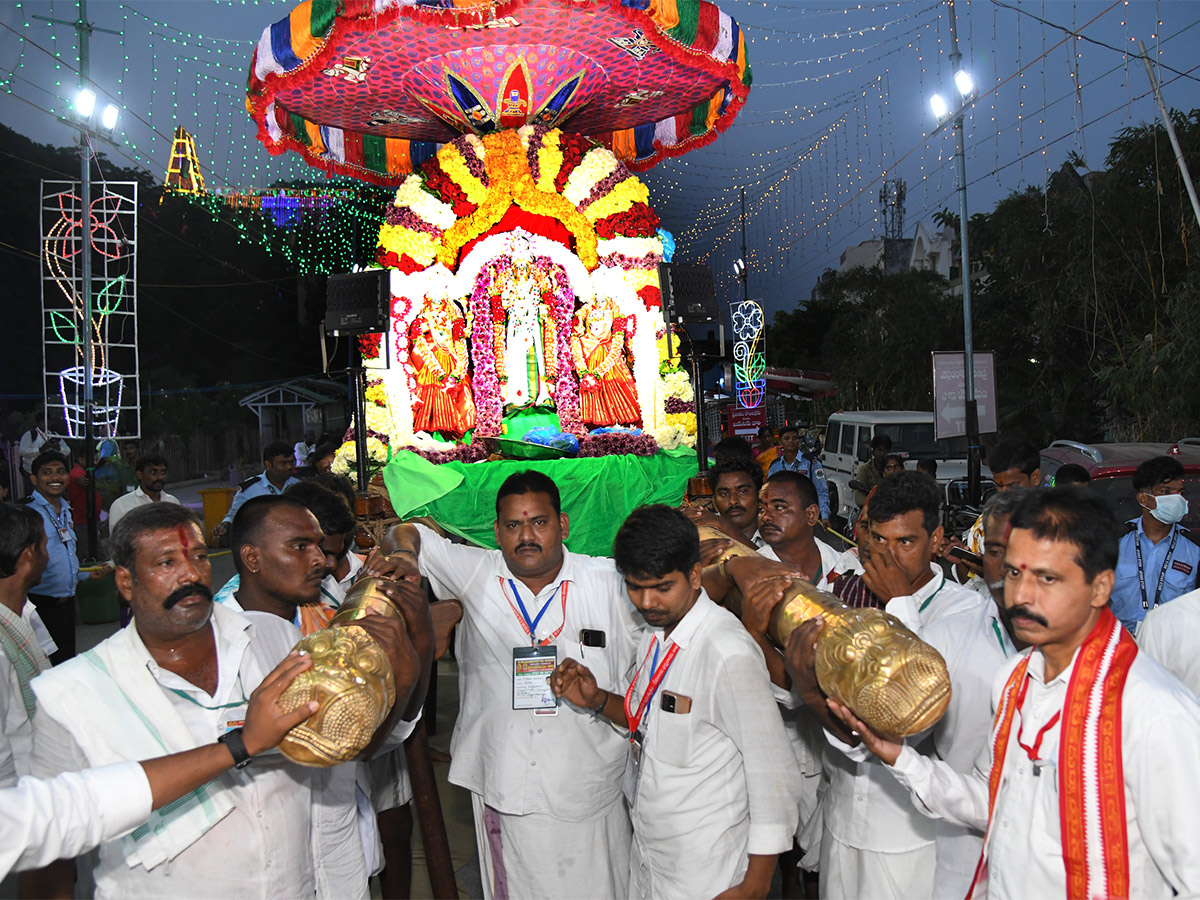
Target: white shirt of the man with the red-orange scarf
<point x="1161" y="745"/>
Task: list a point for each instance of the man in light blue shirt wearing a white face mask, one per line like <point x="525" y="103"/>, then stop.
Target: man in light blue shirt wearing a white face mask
<point x="1159" y="560"/>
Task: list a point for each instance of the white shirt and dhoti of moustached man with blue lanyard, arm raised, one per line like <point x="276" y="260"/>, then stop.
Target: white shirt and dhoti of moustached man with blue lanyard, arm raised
<point x="568" y="766"/>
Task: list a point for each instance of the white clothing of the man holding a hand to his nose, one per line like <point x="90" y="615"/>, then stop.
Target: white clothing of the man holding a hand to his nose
<point x="875" y="845"/>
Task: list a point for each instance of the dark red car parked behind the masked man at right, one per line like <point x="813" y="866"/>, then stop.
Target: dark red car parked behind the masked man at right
<point x="1112" y="467"/>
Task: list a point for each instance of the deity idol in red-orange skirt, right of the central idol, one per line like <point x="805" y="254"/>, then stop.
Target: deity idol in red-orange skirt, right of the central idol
<point x="608" y="393"/>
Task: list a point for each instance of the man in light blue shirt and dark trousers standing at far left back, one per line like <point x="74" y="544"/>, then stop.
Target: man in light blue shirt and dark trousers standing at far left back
<point x="55" y="595"/>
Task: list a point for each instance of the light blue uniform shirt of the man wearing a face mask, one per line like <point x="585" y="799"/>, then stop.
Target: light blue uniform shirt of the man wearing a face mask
<point x="1180" y="579"/>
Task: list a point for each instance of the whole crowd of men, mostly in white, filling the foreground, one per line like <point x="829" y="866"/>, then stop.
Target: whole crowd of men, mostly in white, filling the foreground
<point x="621" y="731"/>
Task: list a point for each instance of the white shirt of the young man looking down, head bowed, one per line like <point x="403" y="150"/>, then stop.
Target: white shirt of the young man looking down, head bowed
<point x="718" y="783"/>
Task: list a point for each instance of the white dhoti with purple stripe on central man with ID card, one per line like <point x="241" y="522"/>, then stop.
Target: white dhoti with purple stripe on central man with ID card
<point x="538" y="857"/>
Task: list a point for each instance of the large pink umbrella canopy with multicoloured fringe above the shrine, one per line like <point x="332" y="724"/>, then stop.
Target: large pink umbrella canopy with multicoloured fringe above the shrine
<point x="371" y="88"/>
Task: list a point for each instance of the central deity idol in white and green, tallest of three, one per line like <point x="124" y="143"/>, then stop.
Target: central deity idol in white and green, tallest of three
<point x="530" y="363"/>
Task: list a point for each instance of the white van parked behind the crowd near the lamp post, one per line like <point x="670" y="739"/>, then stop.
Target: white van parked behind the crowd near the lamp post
<point x="848" y="445"/>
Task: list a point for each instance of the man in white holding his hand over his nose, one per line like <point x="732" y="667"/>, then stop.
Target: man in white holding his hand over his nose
<point x="874" y="844"/>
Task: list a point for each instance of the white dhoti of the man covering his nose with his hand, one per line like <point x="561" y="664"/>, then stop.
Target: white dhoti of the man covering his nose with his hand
<point x="849" y="873"/>
